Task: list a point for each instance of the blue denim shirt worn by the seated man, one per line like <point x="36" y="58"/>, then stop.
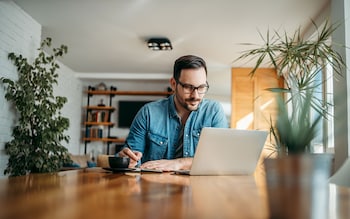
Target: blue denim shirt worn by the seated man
<point x="155" y="129"/>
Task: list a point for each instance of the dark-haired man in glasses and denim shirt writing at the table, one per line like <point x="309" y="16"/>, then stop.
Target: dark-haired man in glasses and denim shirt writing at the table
<point x="165" y="133"/>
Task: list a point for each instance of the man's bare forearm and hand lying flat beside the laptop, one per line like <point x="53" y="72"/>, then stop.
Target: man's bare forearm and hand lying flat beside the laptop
<point x="168" y="165"/>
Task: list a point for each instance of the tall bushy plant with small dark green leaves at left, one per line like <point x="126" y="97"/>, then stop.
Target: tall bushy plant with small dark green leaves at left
<point x="37" y="136"/>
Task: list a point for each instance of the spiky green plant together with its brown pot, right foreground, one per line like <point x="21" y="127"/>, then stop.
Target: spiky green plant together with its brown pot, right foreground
<point x="294" y="176"/>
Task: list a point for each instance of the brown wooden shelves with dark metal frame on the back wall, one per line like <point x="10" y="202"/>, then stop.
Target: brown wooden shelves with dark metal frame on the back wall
<point x="91" y="122"/>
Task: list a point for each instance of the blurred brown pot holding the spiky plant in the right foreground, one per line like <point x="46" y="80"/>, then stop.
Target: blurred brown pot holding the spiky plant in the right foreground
<point x="297" y="186"/>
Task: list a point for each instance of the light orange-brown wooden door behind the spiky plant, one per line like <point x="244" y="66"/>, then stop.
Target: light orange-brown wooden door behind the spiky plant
<point x="252" y="105"/>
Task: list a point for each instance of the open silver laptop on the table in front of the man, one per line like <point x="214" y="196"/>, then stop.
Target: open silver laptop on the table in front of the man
<point x="226" y="151"/>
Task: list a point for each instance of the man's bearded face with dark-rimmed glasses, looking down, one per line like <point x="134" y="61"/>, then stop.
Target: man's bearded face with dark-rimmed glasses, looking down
<point x="187" y="99"/>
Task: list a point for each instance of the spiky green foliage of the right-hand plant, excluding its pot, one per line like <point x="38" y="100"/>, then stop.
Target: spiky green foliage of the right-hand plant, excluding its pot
<point x="299" y="62"/>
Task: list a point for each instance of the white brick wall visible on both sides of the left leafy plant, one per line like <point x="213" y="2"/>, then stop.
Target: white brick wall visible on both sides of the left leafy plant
<point x="20" y="33"/>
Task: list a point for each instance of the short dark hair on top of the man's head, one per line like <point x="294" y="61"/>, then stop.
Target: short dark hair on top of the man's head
<point x="188" y="62"/>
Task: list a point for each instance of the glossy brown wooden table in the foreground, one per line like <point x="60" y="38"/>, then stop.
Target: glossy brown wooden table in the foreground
<point x="95" y="193"/>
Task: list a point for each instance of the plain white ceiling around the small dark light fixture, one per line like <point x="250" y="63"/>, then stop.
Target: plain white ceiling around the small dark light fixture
<point x="109" y="36"/>
